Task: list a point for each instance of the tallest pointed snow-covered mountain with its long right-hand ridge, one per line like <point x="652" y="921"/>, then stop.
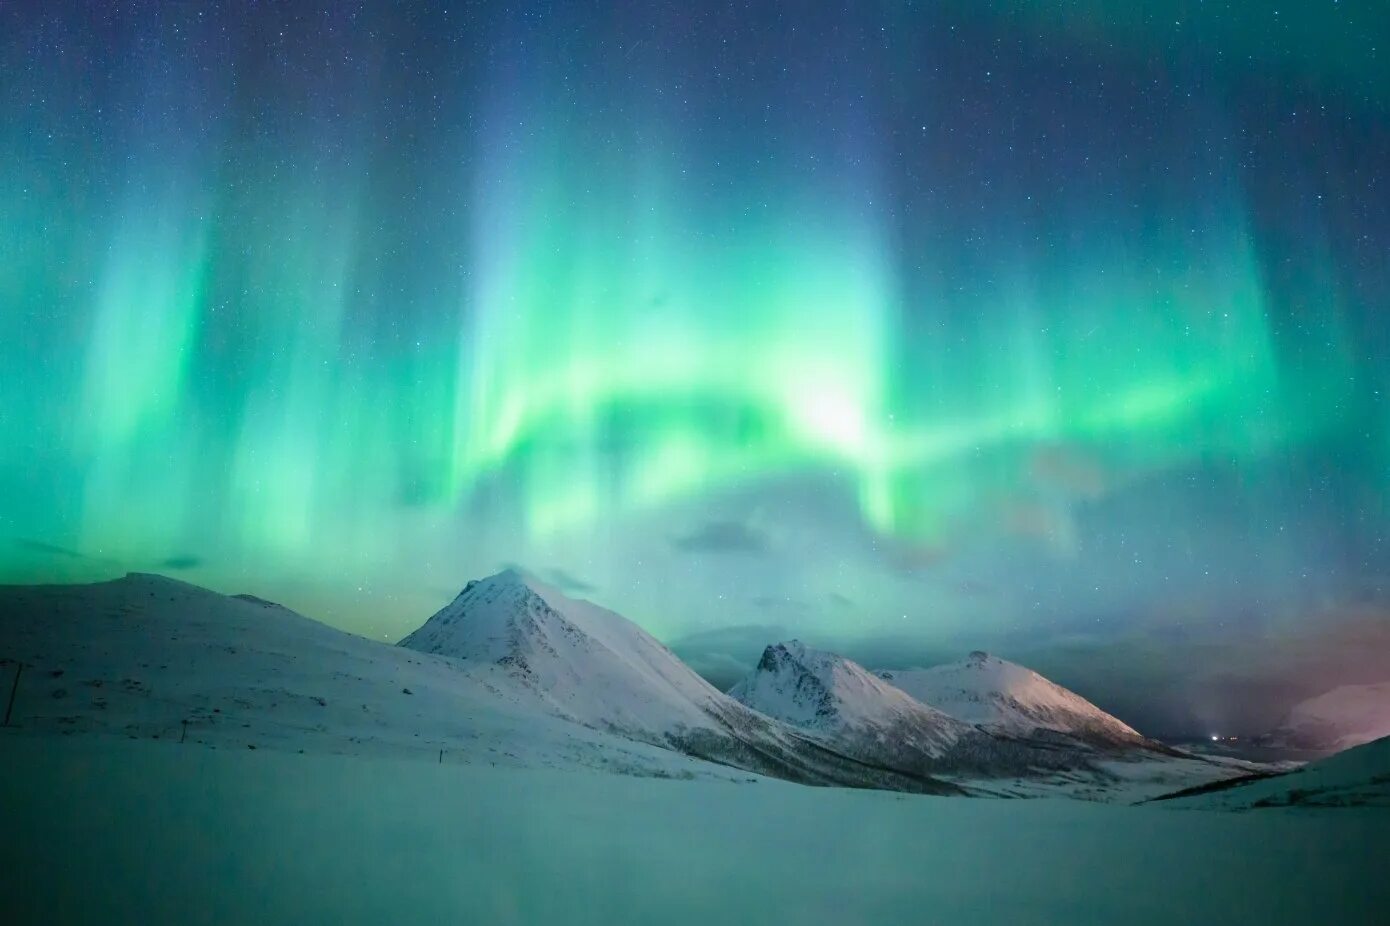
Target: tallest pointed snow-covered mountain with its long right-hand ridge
<point x="597" y="668"/>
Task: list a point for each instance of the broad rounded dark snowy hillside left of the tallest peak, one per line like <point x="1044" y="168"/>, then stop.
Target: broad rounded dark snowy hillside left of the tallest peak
<point x="154" y="658"/>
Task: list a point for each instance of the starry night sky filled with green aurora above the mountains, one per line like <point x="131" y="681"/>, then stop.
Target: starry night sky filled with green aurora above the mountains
<point x="1060" y="330"/>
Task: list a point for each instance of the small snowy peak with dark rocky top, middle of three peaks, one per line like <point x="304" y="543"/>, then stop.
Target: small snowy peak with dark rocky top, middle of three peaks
<point x="843" y="700"/>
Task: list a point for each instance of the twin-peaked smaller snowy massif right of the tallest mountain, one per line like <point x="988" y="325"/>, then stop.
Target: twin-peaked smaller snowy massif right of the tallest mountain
<point x="995" y="728"/>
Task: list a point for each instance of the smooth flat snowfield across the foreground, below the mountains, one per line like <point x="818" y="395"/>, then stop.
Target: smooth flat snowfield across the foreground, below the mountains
<point x="111" y="831"/>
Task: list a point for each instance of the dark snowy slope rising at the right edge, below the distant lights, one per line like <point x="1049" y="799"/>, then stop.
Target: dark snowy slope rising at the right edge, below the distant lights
<point x="1359" y="777"/>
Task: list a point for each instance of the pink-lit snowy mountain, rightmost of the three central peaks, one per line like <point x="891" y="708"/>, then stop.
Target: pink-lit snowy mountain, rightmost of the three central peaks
<point x="1007" y="699"/>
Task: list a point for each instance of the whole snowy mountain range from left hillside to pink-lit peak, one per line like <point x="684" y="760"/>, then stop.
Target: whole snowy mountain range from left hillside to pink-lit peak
<point x="514" y="672"/>
